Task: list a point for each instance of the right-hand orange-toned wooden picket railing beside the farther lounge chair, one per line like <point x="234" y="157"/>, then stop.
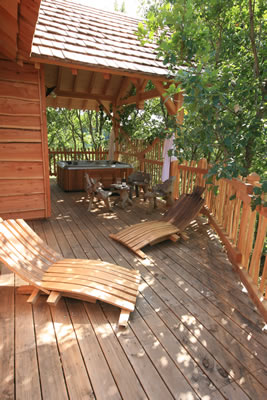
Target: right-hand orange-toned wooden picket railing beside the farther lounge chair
<point x="242" y="230"/>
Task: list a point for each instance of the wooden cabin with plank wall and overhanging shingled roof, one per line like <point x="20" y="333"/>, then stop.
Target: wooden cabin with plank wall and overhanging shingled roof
<point x="79" y="57"/>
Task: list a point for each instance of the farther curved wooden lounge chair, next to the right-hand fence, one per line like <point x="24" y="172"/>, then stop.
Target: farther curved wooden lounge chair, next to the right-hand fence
<point x="178" y="217"/>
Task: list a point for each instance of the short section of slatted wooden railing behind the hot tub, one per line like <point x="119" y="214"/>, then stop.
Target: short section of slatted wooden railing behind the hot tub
<point x="56" y="155"/>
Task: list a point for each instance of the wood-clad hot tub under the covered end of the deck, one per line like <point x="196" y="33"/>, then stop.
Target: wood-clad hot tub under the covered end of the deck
<point x="70" y="174"/>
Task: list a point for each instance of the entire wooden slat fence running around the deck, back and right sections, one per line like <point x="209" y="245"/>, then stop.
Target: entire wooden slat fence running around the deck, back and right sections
<point x="241" y="230"/>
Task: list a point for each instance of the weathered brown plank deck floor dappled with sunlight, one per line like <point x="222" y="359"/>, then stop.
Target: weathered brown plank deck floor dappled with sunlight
<point x="194" y="333"/>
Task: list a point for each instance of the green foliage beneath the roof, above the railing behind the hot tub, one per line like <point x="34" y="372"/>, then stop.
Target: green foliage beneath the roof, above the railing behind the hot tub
<point x="77" y="129"/>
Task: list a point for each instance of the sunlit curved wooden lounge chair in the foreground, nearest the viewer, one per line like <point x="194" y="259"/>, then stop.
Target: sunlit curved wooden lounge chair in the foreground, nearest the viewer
<point x="27" y="255"/>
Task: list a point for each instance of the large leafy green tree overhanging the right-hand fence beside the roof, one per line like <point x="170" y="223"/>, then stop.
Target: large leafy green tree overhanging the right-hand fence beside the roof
<point x="214" y="50"/>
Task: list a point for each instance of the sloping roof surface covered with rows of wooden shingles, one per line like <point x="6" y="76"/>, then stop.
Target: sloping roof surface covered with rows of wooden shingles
<point x="82" y="35"/>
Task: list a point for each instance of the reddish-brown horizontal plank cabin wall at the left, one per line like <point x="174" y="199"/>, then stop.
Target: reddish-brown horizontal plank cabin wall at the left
<point x="24" y="174"/>
